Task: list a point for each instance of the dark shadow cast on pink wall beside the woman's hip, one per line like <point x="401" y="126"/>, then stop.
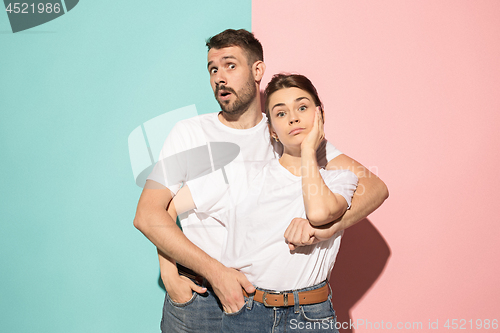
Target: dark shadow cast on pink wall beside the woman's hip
<point x="363" y="256"/>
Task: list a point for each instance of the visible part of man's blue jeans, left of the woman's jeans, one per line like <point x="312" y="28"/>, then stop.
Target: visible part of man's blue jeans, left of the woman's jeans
<point x="201" y="314"/>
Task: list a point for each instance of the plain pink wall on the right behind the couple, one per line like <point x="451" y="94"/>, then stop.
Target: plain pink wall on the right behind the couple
<point x="411" y="90"/>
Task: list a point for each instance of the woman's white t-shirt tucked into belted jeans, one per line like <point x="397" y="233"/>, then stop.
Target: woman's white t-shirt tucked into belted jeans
<point x="256" y="215"/>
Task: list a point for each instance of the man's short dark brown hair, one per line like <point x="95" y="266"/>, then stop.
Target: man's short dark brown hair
<point x="242" y="38"/>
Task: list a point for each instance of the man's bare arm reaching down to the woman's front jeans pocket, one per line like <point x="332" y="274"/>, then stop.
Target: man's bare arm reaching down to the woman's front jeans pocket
<point x="153" y="220"/>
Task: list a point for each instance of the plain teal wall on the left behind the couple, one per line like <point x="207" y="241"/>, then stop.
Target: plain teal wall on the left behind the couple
<point x="71" y="92"/>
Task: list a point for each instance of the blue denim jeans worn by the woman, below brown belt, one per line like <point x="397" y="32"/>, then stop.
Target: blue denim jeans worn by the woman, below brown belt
<point x="256" y="317"/>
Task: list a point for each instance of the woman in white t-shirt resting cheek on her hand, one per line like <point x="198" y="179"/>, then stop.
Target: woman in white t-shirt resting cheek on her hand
<point x="292" y="290"/>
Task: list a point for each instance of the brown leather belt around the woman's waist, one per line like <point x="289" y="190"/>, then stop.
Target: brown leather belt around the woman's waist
<point x="272" y="299"/>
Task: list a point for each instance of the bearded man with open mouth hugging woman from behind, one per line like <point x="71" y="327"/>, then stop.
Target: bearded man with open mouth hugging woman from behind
<point x="236" y="67"/>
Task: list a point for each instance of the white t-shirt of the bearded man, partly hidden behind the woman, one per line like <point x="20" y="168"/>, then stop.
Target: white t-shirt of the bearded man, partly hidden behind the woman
<point x="188" y="153"/>
